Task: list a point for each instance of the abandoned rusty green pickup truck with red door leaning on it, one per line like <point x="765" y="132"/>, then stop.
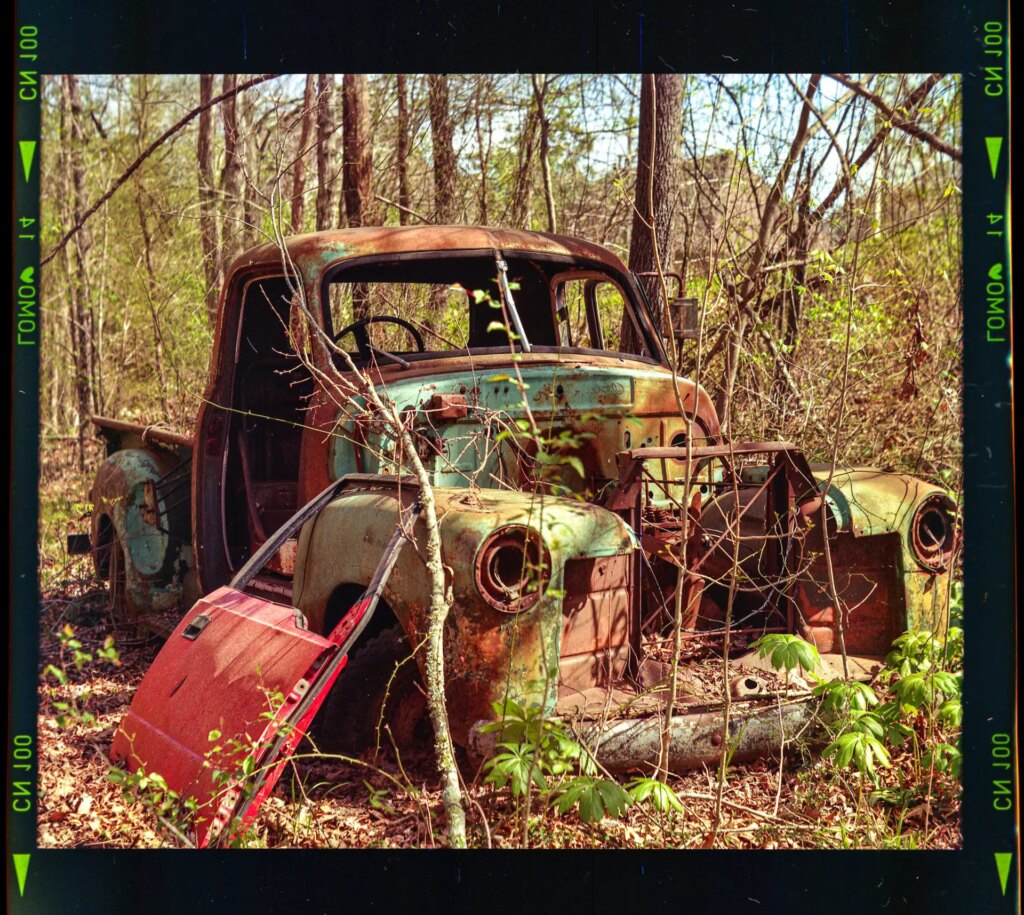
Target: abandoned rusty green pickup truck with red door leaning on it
<point x="570" y="466"/>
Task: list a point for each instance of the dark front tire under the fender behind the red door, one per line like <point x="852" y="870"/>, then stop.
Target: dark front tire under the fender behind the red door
<point x="377" y="701"/>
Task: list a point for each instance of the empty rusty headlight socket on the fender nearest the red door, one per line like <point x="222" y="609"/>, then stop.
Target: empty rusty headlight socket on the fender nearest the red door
<point x="513" y="569"/>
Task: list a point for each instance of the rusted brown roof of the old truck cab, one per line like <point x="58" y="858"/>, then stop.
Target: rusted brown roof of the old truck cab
<point x="325" y="247"/>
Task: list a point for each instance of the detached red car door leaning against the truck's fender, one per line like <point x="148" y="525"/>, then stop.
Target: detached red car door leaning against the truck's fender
<point x="235" y="688"/>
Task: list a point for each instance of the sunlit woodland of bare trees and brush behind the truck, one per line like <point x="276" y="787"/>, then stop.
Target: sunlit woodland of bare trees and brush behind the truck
<point x="817" y="220"/>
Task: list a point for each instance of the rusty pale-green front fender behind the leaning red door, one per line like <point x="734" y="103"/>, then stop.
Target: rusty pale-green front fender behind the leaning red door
<point x="489" y="653"/>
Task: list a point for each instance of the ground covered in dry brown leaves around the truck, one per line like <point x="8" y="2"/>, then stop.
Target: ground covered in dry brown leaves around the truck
<point x="329" y="802"/>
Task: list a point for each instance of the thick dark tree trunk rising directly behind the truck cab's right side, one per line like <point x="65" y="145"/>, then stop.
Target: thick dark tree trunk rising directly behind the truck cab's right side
<point x="652" y="241"/>
